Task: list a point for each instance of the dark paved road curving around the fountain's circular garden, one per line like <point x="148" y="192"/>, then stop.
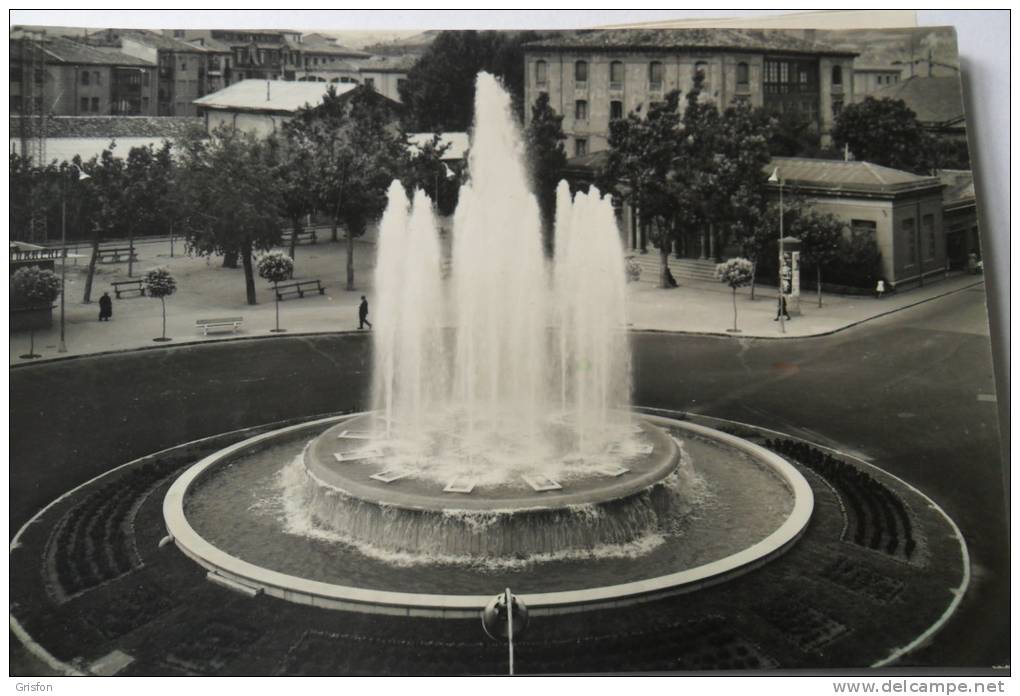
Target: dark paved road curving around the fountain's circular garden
<point x="908" y="392"/>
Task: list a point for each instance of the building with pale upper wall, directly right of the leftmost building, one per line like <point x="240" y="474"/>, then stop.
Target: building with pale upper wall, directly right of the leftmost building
<point x="183" y="69"/>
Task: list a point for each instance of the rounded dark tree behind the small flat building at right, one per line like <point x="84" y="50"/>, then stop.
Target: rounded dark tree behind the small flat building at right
<point x="884" y="132"/>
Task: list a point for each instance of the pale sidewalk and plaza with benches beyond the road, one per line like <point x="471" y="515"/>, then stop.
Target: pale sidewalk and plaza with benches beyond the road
<point x="208" y="291"/>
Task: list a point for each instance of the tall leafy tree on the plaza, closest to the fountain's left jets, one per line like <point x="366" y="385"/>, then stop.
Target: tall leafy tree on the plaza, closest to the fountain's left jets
<point x="358" y="152"/>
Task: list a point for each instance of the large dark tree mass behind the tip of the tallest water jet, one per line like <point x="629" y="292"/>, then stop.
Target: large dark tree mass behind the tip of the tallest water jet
<point x="439" y="92"/>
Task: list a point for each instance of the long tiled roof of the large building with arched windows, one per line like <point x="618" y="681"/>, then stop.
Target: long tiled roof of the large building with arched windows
<point x="684" y="40"/>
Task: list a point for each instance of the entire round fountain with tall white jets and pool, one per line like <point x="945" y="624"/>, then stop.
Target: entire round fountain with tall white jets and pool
<point x="500" y="435"/>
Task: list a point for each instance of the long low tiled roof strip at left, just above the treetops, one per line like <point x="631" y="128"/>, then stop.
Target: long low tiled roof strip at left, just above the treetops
<point x="112" y="127"/>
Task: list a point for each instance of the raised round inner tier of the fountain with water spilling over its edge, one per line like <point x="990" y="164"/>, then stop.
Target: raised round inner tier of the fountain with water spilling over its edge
<point x="351" y="490"/>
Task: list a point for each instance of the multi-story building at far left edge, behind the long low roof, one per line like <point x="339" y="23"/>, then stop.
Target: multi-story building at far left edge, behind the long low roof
<point x="72" y="79"/>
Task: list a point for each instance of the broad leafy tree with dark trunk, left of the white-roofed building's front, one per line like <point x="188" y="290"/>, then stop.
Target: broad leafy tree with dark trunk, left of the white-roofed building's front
<point x="233" y="203"/>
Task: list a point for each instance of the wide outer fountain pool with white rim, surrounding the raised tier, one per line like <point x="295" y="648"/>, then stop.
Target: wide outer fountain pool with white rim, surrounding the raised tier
<point x="218" y="514"/>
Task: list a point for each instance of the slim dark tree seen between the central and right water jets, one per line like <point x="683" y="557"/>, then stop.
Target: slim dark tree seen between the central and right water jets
<point x="547" y="159"/>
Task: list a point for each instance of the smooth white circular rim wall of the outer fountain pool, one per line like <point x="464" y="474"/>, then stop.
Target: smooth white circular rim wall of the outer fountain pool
<point x="367" y="600"/>
